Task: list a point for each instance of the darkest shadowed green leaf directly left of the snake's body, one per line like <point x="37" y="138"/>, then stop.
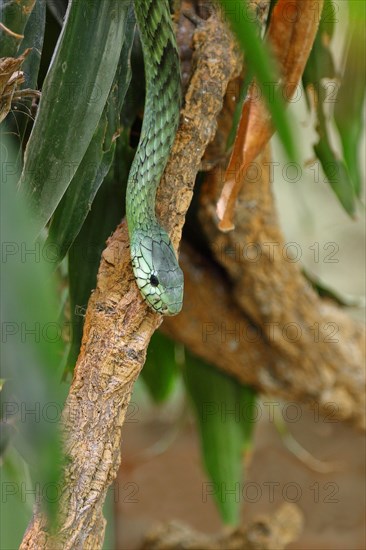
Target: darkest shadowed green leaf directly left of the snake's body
<point x="106" y="212"/>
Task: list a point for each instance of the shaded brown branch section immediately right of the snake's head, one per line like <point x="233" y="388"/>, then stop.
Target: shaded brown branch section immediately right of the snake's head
<point x="212" y="326"/>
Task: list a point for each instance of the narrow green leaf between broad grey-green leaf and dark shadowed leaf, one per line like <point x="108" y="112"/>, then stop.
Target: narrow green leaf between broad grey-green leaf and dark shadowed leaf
<point x="76" y="203"/>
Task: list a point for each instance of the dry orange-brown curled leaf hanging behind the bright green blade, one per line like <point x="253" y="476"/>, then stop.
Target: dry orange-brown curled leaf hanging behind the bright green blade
<point x="290" y="37"/>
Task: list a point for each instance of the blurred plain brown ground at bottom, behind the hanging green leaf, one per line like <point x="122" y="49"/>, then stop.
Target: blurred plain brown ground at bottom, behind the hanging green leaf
<point x="171" y="484"/>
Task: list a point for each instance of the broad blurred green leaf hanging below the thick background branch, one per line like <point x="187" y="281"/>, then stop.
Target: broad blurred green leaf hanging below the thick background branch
<point x="224" y="415"/>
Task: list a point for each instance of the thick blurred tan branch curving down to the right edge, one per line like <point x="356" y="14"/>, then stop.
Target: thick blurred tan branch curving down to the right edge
<point x="322" y="349"/>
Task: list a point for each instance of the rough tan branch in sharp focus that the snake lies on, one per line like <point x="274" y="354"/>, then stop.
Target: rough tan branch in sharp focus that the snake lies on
<point x="118" y="325"/>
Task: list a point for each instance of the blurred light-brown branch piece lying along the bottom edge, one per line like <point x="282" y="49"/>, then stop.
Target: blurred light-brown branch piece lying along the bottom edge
<point x="264" y="533"/>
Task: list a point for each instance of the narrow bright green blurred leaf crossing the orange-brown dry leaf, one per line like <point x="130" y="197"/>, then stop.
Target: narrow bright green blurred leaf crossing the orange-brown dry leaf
<point x="261" y="65"/>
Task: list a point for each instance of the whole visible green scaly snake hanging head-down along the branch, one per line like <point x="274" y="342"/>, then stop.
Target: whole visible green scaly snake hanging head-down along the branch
<point x="154" y="262"/>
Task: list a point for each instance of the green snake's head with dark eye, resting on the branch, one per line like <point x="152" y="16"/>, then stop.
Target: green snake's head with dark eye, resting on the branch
<point x="157" y="273"/>
